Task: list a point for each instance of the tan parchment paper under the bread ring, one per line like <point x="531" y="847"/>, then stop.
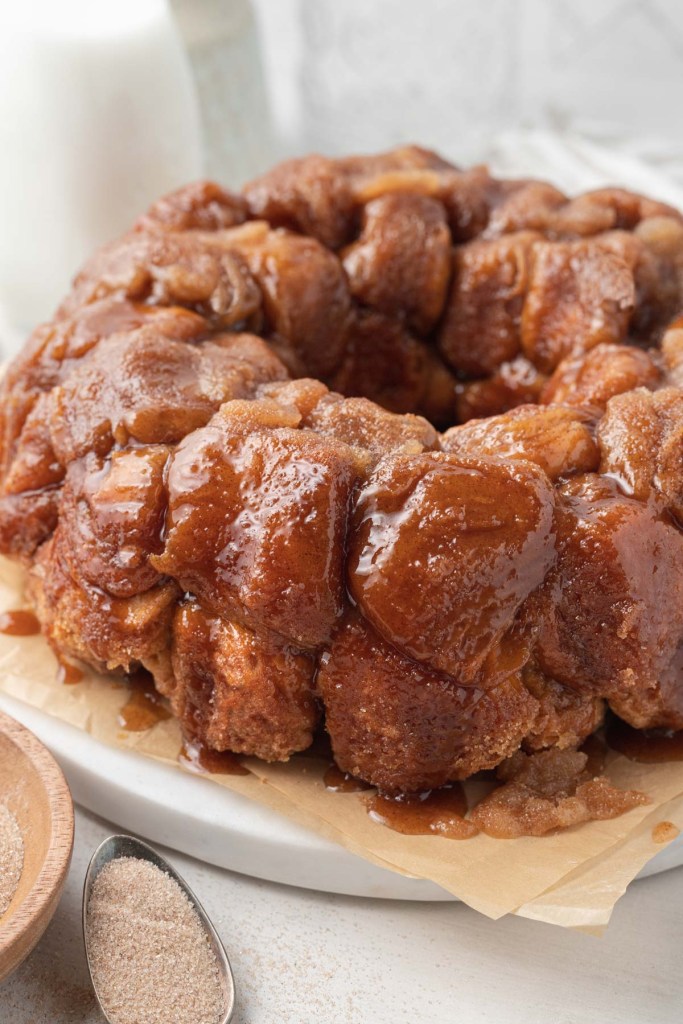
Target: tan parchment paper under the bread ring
<point x="572" y="879"/>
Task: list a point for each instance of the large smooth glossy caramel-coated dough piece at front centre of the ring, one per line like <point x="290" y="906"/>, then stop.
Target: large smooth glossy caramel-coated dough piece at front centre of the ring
<point x="445" y="550"/>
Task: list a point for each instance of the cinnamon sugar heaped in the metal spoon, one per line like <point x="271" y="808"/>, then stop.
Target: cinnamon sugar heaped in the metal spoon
<point x="150" y="956"/>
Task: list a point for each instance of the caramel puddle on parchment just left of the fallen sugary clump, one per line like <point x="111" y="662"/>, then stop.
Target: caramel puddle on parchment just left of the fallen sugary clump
<point x="437" y="813"/>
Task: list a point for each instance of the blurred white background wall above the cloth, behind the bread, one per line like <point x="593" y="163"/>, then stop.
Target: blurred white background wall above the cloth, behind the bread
<point x="360" y="75"/>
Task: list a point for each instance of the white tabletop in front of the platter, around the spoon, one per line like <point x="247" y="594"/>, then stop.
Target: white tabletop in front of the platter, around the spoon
<point x="306" y="958"/>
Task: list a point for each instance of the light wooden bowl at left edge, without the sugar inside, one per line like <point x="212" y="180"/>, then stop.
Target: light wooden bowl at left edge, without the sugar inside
<point x="35" y="791"/>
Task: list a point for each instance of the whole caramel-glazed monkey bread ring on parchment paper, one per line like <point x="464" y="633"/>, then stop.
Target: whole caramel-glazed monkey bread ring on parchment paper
<point x="193" y="495"/>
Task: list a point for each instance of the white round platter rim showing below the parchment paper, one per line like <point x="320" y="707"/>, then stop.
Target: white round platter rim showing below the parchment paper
<point x="215" y="825"/>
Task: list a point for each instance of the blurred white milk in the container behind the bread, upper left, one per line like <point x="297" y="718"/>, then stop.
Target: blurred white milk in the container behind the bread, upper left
<point x="99" y="116"/>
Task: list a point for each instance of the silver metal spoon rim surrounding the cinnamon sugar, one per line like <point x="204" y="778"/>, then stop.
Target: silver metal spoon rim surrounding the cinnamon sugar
<point x="129" y="846"/>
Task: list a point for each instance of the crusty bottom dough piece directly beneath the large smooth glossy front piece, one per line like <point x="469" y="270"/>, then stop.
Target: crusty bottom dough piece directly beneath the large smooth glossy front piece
<point x="402" y="726"/>
